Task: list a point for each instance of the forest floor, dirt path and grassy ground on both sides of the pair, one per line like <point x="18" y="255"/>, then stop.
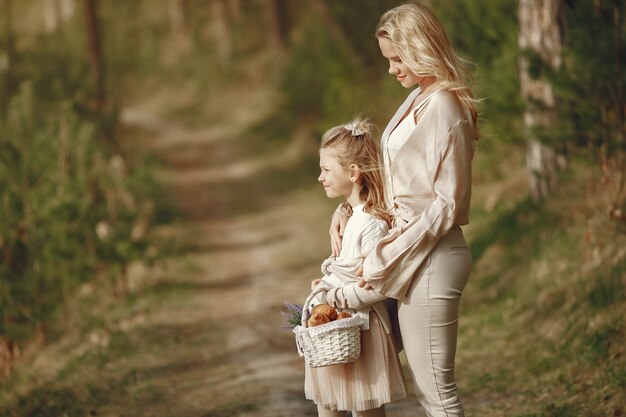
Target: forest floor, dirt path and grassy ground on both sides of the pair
<point x="200" y="333"/>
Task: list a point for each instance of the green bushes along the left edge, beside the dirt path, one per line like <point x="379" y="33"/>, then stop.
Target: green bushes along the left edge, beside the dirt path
<point x="72" y="209"/>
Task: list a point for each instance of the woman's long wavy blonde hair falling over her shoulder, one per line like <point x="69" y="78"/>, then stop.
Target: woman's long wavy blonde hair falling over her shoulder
<point x="423" y="45"/>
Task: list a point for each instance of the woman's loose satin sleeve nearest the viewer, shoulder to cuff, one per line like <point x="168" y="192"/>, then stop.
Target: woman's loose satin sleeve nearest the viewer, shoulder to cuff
<point x="391" y="265"/>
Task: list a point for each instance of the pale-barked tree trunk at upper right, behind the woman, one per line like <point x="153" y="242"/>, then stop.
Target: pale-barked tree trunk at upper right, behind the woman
<point x="539" y="35"/>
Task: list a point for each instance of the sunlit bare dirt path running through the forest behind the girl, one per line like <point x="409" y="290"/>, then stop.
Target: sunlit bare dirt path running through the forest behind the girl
<point x="246" y="262"/>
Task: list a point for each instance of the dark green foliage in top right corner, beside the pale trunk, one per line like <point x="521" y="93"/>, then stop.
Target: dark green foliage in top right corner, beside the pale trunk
<point x="590" y="86"/>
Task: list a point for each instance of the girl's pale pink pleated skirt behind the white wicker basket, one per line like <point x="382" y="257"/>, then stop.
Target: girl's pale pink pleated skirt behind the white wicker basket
<point x="374" y="379"/>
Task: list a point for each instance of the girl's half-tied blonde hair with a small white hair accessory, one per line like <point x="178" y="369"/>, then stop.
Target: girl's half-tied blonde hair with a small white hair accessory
<point x="353" y="143"/>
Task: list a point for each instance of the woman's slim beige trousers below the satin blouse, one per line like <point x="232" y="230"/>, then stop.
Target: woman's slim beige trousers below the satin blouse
<point x="428" y="318"/>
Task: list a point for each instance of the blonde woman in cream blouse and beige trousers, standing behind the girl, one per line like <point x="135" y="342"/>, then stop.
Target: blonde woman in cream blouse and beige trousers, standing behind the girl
<point x="428" y="145"/>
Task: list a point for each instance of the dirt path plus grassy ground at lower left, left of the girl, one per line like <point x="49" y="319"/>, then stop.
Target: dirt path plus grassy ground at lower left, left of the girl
<point x="200" y="333"/>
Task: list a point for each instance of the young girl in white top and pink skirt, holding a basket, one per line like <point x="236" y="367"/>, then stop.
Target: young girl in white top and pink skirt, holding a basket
<point x="351" y="168"/>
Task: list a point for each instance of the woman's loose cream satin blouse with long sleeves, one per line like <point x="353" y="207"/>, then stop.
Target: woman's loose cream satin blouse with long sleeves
<point x="429" y="186"/>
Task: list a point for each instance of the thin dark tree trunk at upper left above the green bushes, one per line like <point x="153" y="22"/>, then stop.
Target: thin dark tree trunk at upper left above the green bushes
<point x="94" y="49"/>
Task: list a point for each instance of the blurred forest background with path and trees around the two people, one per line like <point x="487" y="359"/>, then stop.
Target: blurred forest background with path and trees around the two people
<point x="158" y="168"/>
